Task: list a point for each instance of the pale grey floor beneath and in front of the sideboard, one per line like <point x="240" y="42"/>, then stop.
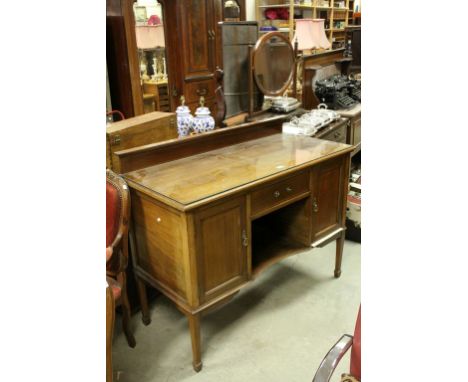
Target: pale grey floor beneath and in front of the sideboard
<point x="276" y="329"/>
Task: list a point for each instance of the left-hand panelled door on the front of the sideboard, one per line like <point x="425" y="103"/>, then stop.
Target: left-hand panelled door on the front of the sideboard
<point x="221" y="248"/>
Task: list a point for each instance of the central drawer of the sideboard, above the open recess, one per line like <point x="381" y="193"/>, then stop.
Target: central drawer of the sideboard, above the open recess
<point x="279" y="193"/>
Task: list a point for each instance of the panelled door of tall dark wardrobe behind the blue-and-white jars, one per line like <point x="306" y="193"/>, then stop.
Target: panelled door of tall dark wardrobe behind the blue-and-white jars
<point x="197" y="19"/>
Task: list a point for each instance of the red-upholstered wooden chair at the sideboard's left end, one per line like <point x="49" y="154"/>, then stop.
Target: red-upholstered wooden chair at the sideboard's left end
<point x="117" y="220"/>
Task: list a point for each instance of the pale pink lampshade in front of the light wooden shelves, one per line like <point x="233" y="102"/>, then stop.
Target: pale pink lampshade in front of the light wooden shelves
<point x="310" y="34"/>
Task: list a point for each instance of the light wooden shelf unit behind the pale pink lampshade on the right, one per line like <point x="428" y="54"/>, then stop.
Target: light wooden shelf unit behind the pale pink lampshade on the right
<point x="315" y="10"/>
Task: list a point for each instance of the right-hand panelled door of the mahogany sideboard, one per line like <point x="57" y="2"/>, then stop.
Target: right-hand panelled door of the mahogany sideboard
<point x="327" y="185"/>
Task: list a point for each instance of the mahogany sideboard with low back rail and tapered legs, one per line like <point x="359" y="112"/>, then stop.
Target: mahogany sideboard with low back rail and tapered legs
<point x="206" y="219"/>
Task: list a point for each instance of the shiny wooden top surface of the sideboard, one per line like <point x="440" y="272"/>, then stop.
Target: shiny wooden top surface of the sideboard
<point x="200" y="176"/>
